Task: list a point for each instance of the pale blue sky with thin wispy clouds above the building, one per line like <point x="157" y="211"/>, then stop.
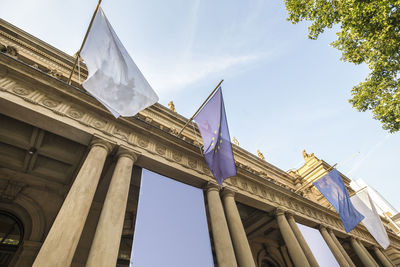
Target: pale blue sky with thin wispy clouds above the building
<point x="283" y="93"/>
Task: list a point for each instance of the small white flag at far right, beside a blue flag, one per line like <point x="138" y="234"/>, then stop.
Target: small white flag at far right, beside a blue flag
<point x="363" y="203"/>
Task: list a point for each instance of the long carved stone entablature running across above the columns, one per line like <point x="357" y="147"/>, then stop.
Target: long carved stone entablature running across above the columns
<point x="153" y="133"/>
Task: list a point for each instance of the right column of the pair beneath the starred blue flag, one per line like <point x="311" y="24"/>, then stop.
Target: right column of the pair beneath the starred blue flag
<point x="238" y="235"/>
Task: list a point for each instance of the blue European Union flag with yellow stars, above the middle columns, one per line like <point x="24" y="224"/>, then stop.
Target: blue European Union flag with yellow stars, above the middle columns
<point x="216" y="140"/>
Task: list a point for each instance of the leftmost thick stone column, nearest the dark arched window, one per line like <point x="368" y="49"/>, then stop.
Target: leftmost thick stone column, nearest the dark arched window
<point x="59" y="247"/>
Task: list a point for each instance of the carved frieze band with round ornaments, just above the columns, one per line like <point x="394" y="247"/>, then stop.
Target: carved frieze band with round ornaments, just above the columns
<point x="242" y="184"/>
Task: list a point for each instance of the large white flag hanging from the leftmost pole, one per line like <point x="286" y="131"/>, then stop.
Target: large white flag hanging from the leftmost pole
<point x="114" y="79"/>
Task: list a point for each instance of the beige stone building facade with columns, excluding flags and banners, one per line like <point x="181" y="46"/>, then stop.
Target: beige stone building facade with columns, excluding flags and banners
<point x="66" y="168"/>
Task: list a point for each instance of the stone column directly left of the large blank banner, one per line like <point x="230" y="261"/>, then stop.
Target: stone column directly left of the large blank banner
<point x="105" y="245"/>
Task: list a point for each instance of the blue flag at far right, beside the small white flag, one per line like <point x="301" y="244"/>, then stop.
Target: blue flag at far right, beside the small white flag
<point x="334" y="190"/>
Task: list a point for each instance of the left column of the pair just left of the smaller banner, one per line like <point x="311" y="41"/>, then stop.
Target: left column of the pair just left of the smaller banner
<point x="295" y="251"/>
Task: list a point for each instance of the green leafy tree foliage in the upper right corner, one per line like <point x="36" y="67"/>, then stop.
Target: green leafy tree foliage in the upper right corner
<point x="369" y="33"/>
